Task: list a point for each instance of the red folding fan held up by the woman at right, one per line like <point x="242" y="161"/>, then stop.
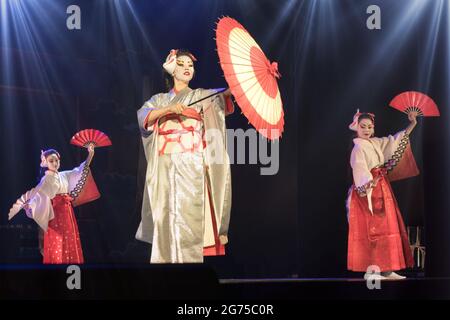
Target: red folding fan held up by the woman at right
<point x="415" y="101"/>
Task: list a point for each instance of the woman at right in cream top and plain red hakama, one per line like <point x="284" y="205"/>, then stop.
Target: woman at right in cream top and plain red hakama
<point x="377" y="235"/>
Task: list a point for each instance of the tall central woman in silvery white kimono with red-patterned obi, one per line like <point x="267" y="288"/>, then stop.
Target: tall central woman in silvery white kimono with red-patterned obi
<point x="187" y="195"/>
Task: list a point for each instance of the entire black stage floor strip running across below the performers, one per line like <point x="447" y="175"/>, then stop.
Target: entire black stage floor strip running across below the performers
<point x="199" y="282"/>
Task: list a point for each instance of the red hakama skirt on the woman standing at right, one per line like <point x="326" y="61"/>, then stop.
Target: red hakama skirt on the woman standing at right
<point x="380" y="238"/>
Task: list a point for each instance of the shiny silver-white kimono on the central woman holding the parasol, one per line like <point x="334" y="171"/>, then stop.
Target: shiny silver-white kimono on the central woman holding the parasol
<point x="176" y="211"/>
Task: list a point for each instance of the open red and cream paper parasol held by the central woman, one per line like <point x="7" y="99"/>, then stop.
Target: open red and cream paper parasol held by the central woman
<point x="251" y="77"/>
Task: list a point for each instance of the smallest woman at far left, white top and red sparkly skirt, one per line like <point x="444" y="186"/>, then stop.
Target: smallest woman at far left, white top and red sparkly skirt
<point x="51" y="203"/>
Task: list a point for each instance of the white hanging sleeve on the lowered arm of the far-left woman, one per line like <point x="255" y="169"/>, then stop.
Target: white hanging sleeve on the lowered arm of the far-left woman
<point x="40" y="206"/>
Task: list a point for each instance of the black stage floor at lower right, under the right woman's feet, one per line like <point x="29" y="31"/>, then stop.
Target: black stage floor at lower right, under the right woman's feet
<point x="336" y="288"/>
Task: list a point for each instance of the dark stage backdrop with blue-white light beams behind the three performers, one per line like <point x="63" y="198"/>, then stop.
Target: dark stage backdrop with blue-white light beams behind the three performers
<point x="55" y="82"/>
